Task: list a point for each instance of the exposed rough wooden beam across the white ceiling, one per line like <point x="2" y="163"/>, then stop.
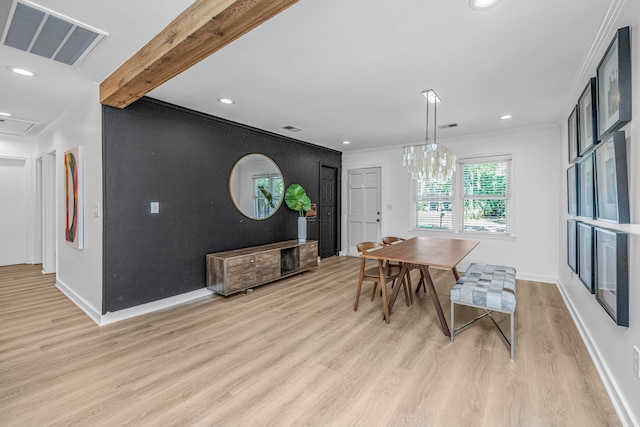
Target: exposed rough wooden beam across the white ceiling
<point x="203" y="28"/>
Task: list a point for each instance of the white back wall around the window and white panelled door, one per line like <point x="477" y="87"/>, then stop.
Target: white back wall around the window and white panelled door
<point x="536" y="154"/>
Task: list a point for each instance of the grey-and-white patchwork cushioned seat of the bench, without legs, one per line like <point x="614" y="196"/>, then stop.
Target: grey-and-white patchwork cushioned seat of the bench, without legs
<point x="488" y="286"/>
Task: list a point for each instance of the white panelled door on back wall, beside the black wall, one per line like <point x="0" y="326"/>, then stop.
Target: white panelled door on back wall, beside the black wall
<point x="364" y="204"/>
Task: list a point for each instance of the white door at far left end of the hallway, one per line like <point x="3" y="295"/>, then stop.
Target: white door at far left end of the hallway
<point x="13" y="211"/>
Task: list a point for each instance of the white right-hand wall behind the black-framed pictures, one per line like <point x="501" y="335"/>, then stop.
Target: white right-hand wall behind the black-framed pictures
<point x="612" y="345"/>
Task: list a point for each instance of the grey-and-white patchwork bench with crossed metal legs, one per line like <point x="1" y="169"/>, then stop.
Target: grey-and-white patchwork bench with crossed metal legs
<point x="489" y="287"/>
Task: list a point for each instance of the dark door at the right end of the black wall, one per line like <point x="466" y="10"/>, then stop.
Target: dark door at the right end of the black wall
<point x="328" y="211"/>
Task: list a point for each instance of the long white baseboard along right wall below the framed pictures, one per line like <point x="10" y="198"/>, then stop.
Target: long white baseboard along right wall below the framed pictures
<point x="620" y="404"/>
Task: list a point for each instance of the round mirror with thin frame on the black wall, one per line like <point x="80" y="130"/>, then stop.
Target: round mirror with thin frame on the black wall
<point x="256" y="186"/>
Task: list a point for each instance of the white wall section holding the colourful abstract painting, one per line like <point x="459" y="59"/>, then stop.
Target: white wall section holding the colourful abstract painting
<point x="79" y="272"/>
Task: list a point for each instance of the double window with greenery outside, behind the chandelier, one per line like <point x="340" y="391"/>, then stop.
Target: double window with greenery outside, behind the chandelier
<point x="477" y="198"/>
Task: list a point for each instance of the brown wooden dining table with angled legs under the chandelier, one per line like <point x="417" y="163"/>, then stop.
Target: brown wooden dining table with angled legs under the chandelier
<point x="421" y="253"/>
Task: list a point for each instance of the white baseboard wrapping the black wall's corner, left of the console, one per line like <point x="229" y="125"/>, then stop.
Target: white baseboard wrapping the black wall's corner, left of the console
<point x="128" y="313"/>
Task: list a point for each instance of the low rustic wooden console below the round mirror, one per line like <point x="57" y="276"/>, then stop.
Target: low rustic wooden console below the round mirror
<point x="240" y="269"/>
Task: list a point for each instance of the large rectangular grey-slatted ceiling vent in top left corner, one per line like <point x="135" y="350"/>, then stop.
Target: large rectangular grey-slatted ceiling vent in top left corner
<point x="32" y="28"/>
